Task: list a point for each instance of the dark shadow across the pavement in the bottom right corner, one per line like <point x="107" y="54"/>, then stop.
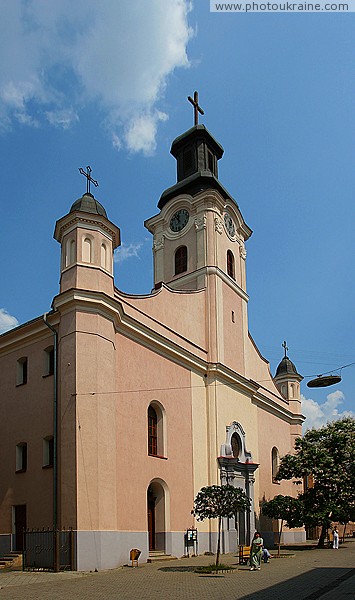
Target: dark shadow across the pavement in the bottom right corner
<point x="308" y="586"/>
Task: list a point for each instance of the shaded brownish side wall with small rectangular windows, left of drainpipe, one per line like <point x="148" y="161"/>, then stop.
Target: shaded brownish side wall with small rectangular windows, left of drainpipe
<point x="26" y="415"/>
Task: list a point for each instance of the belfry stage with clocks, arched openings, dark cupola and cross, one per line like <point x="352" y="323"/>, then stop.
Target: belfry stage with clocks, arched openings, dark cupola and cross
<point x="199" y="229"/>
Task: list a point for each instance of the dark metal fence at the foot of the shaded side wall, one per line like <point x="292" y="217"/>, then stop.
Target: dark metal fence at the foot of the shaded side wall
<point x="49" y="550"/>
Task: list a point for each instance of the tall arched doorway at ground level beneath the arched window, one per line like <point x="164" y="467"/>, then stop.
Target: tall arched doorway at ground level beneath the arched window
<point x="156" y="515"/>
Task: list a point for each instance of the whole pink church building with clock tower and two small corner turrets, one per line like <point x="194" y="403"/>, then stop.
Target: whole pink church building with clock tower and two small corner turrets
<point x="116" y="409"/>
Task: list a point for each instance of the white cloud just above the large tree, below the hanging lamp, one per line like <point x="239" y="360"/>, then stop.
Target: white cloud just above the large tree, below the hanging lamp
<point x="319" y="414"/>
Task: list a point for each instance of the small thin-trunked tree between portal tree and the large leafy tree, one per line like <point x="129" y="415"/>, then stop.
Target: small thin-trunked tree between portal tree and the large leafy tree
<point x="286" y="509"/>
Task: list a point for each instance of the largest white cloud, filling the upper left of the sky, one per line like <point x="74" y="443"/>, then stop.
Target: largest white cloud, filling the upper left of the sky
<point x="62" y="56"/>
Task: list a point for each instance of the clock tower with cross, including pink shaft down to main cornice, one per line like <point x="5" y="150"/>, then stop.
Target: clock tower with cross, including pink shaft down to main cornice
<point x="199" y="240"/>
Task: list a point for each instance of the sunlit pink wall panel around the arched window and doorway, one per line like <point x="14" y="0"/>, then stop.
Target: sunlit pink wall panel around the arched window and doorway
<point x="143" y="377"/>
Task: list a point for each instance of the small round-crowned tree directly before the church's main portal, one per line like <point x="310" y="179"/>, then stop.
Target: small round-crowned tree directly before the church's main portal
<point x="218" y="501"/>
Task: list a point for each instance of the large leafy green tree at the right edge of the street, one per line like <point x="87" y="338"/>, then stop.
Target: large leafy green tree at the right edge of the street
<point x="327" y="457"/>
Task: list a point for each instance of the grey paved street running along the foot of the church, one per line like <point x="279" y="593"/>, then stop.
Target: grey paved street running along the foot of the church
<point x="310" y="574"/>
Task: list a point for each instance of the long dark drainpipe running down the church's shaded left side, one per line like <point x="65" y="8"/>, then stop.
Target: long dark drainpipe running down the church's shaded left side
<point x="55" y="439"/>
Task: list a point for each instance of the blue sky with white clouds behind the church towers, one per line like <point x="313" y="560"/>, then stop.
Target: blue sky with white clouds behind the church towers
<point x="105" y="83"/>
